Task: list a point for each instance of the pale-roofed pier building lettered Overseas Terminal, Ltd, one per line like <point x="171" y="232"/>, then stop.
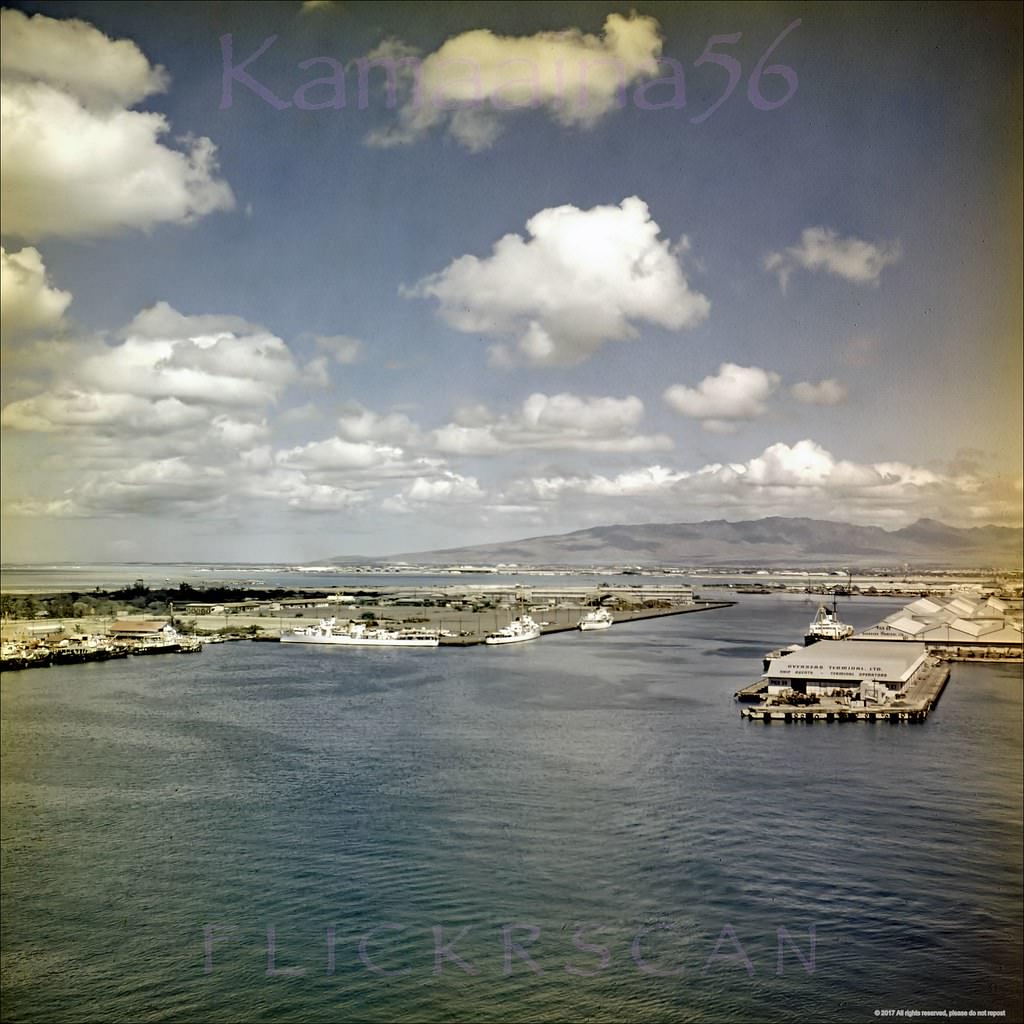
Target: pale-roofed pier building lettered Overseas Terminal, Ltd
<point x="874" y="670"/>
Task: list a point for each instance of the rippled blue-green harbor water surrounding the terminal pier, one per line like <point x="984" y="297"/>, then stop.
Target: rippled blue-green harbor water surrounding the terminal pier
<point x="583" y="827"/>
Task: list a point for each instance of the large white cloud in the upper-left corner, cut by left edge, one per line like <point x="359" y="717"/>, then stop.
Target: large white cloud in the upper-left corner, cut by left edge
<point x="77" y="161"/>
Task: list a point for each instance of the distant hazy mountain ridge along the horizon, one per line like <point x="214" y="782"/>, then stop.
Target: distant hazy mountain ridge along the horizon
<point x="776" y="541"/>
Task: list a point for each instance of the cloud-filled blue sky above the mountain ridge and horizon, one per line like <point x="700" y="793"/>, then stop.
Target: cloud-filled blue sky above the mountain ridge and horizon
<point x="287" y="281"/>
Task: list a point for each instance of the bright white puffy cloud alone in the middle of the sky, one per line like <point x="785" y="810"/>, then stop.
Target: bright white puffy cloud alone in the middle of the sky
<point x="580" y="279"/>
